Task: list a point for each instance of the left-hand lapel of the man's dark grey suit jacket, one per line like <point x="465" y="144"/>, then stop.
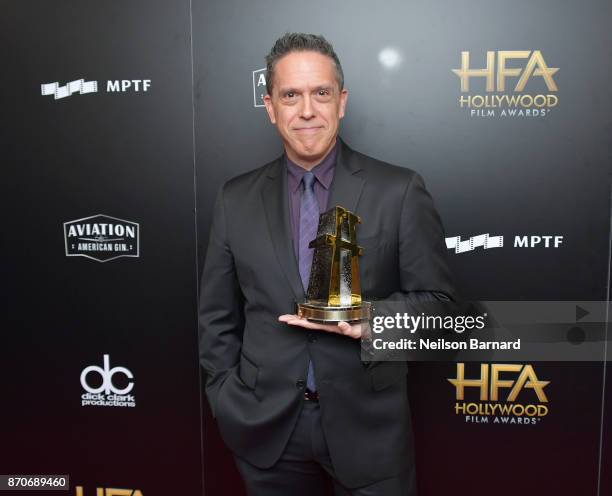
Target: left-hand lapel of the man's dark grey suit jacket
<point x="276" y="205"/>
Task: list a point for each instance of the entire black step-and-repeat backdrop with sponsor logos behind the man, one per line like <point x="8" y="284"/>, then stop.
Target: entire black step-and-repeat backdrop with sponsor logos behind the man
<point x="122" y="119"/>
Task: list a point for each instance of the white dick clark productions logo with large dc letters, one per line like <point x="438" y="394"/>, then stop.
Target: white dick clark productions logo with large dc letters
<point x="105" y="392"/>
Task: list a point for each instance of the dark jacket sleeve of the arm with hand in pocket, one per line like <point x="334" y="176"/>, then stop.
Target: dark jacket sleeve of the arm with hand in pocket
<point x="221" y="316"/>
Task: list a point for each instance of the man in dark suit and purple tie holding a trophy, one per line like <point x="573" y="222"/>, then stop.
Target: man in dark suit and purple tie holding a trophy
<point x="294" y="400"/>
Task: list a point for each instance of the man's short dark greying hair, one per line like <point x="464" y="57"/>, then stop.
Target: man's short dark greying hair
<point x="300" y="42"/>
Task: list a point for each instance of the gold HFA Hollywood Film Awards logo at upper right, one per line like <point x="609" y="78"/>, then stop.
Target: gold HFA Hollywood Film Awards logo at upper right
<point x="499" y="68"/>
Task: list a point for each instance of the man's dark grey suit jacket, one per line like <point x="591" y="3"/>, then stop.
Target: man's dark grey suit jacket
<point x="256" y="366"/>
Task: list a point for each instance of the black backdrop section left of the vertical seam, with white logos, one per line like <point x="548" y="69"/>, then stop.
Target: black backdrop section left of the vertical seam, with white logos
<point x="99" y="345"/>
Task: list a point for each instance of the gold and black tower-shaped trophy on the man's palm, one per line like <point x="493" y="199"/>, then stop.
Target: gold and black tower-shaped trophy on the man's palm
<point x="334" y="289"/>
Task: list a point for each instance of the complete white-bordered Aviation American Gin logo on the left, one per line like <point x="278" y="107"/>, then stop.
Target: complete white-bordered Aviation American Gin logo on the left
<point x="101" y="238"/>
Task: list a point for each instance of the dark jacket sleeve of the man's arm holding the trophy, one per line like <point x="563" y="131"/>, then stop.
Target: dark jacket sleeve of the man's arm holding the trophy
<point x="425" y="280"/>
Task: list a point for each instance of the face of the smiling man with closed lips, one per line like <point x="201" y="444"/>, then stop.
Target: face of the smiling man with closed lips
<point x="306" y="105"/>
